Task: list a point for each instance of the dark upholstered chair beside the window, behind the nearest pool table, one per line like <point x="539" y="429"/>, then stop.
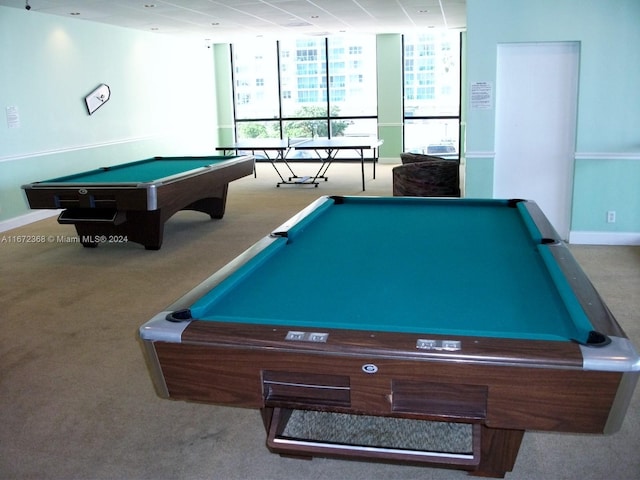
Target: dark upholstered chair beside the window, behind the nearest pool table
<point x="426" y="176"/>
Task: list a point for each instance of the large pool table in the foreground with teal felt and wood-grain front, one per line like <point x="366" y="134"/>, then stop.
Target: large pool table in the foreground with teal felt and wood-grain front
<point x="458" y="322"/>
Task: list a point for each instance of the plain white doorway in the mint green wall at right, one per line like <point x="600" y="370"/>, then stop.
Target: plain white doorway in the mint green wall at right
<point x="536" y="112"/>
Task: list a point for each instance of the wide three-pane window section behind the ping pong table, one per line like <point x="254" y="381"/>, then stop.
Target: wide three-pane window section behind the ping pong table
<point x="305" y="87"/>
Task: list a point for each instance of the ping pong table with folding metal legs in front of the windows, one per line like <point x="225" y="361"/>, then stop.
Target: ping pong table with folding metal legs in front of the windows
<point x="325" y="148"/>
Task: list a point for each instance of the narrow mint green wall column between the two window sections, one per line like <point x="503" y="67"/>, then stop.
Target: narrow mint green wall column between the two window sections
<point x="389" y="78"/>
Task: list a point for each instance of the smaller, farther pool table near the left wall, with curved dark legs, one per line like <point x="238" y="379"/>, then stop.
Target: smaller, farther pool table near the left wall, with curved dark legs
<point x="131" y="202"/>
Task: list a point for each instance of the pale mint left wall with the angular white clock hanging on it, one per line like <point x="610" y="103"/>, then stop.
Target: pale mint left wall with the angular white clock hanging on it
<point x="161" y="101"/>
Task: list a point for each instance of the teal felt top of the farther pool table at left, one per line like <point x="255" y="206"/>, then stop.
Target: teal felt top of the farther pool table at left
<point x="142" y="171"/>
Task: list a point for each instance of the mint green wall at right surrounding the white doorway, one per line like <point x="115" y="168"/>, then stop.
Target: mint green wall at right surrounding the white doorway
<point x="607" y="172"/>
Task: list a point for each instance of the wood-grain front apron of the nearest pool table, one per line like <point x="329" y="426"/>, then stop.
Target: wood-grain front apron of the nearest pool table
<point x="526" y="396"/>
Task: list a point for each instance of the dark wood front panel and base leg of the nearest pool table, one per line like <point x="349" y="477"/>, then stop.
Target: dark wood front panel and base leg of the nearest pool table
<point x="502" y="401"/>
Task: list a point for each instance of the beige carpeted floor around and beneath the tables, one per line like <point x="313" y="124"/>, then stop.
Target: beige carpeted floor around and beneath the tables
<point x="76" y="401"/>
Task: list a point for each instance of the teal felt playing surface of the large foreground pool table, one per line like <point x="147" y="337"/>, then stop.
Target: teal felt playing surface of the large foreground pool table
<point x="467" y="268"/>
